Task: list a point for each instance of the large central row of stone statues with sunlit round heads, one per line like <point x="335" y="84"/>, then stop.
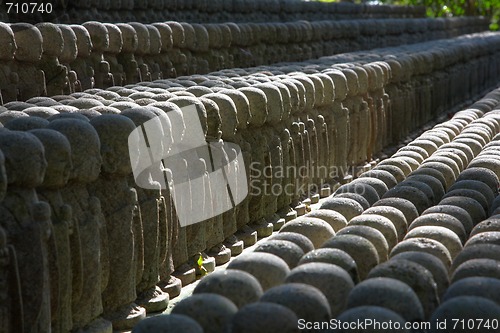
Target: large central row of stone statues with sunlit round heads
<point x="88" y="249"/>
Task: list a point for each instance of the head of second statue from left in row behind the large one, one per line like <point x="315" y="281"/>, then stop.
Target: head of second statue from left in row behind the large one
<point x="29" y="42"/>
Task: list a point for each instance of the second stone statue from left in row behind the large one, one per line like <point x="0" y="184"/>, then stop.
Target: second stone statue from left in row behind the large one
<point x="29" y="52"/>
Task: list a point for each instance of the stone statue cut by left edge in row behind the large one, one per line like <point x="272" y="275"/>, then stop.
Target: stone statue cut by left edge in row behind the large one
<point x="8" y="77"/>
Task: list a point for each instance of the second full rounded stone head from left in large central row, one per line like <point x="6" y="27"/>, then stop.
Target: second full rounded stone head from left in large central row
<point x="58" y="155"/>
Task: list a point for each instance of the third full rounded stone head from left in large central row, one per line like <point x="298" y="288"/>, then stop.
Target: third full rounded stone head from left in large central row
<point x="85" y="148"/>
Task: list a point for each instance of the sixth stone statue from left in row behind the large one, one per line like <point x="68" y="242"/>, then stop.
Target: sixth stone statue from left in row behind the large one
<point x="100" y="42"/>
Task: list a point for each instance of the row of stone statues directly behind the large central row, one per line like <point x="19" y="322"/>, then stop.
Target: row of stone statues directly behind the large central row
<point x="49" y="59"/>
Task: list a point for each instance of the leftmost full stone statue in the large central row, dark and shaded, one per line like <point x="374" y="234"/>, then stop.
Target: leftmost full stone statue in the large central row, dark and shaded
<point x="27" y="224"/>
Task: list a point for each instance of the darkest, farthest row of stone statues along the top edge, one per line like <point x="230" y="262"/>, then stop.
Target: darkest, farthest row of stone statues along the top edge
<point x="204" y="11"/>
